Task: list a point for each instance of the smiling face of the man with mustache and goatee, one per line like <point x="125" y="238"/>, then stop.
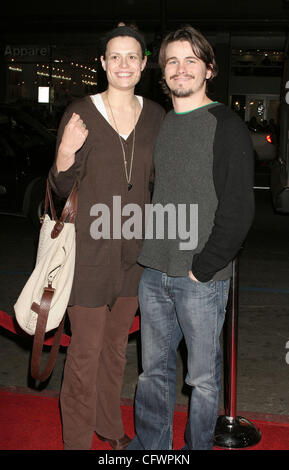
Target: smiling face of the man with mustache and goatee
<point x="185" y="73"/>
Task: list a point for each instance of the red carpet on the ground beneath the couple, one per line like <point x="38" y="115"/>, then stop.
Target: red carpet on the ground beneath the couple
<point x="32" y="422"/>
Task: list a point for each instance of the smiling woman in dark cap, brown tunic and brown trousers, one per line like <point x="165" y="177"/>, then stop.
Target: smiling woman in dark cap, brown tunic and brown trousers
<point x="105" y="142"/>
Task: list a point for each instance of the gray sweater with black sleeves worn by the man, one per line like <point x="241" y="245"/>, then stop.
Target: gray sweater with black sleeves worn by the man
<point x="203" y="162"/>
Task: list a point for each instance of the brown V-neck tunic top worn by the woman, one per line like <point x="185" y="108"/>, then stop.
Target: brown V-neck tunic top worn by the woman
<point x="107" y="268"/>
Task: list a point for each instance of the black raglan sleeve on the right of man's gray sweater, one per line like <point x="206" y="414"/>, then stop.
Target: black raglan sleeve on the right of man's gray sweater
<point x="233" y="174"/>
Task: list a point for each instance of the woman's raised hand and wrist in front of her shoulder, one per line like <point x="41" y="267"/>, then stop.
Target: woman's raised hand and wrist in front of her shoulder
<point x="74" y="136"/>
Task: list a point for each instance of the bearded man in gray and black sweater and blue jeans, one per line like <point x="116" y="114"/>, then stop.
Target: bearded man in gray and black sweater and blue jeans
<point x="203" y="156"/>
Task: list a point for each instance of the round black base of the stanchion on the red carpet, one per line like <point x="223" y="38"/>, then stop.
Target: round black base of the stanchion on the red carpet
<point x="236" y="433"/>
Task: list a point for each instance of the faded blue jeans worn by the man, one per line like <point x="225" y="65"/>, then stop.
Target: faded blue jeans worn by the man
<point x="173" y="307"/>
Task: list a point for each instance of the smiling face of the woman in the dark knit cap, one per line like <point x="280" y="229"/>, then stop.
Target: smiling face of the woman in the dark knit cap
<point x="123" y="62"/>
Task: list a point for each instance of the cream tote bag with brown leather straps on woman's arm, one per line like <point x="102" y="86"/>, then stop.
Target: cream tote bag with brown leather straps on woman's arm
<point x="42" y="304"/>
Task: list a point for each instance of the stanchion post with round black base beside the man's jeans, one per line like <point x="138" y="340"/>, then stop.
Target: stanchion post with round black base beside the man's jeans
<point x="233" y="431"/>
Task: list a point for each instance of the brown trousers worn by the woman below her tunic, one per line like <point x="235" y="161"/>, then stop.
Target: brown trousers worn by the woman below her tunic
<point x="93" y="373"/>
